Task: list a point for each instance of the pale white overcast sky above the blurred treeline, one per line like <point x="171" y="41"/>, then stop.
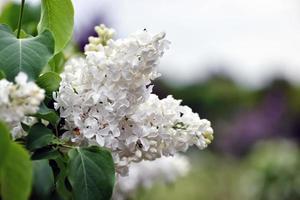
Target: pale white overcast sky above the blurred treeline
<point x="251" y="40"/>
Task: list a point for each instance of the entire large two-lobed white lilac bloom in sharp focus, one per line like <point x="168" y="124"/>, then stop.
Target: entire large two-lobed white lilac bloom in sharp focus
<point x="105" y="99"/>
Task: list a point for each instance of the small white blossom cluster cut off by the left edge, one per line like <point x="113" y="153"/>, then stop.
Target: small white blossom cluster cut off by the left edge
<point x="18" y="100"/>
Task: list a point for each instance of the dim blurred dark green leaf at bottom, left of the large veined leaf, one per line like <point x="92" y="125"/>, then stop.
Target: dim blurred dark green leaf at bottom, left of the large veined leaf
<point x="43" y="179"/>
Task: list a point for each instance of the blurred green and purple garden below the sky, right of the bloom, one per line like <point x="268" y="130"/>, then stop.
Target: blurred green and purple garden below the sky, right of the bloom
<point x="255" y="154"/>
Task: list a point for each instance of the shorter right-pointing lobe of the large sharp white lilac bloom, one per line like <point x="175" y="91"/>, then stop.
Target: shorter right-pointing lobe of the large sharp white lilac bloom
<point x="168" y="127"/>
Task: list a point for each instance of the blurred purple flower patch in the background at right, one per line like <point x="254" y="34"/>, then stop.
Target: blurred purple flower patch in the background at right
<point x="247" y="127"/>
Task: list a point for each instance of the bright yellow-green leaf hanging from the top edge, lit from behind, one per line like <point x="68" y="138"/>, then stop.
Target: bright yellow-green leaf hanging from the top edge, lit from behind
<point x="58" y="17"/>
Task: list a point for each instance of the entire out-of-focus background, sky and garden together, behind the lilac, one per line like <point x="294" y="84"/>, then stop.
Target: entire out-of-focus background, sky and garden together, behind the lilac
<point x="234" y="62"/>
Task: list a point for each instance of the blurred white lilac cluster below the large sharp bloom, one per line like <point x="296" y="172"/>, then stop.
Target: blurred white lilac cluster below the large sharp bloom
<point x="145" y="174"/>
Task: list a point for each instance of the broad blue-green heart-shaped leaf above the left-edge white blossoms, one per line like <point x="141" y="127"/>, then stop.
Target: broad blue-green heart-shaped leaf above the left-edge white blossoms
<point x="29" y="55"/>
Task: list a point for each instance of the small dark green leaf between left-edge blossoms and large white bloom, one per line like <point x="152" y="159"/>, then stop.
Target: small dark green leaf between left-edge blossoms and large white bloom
<point x="47" y="114"/>
